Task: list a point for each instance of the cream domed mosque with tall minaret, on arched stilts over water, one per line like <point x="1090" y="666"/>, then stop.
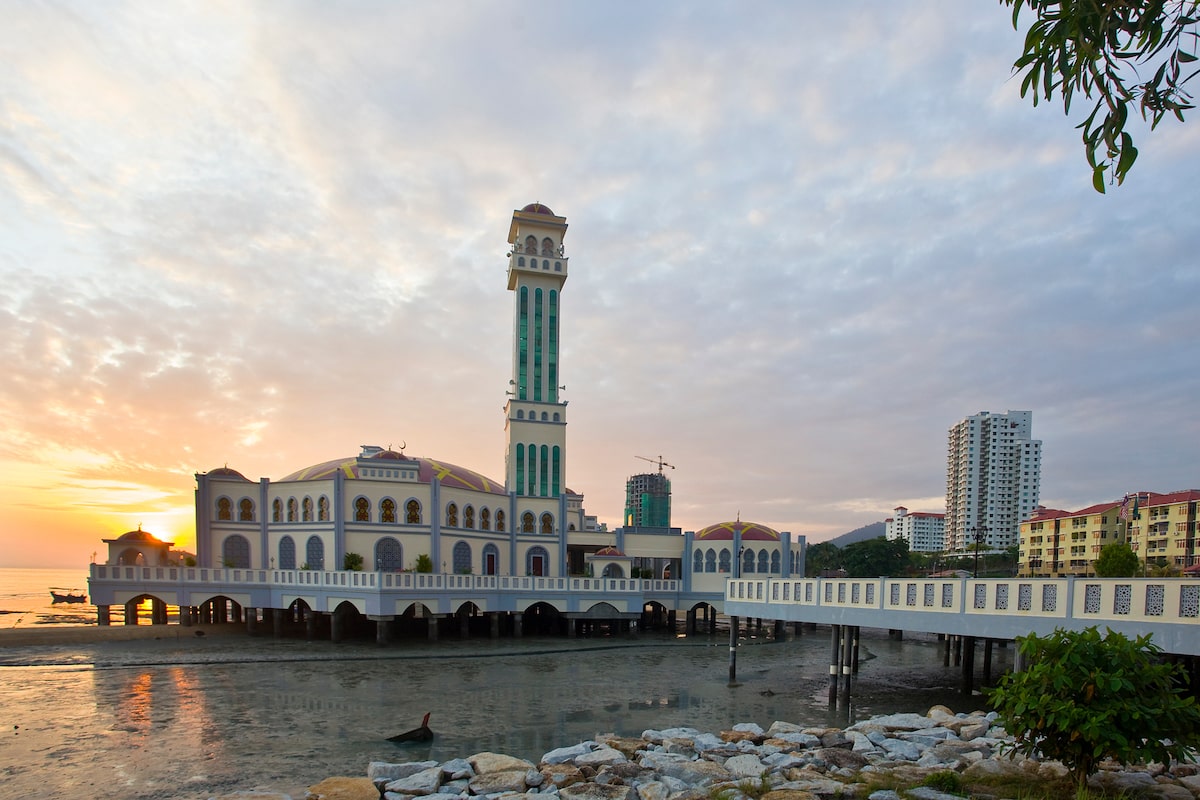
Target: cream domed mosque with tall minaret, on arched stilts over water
<point x="385" y="513"/>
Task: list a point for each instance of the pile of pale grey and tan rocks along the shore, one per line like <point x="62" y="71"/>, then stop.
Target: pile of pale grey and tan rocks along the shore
<point x="787" y="762"/>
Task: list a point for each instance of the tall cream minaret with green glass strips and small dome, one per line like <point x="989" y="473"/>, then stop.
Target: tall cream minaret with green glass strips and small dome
<point x="536" y="420"/>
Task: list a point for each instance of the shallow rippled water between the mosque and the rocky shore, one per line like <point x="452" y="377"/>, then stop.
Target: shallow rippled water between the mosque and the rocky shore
<point x="200" y="719"/>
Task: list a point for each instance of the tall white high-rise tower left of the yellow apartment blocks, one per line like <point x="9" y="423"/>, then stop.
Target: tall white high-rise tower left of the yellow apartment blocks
<point x="993" y="479"/>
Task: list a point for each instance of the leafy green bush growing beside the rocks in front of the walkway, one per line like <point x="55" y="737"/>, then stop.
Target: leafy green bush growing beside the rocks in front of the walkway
<point x="1083" y="699"/>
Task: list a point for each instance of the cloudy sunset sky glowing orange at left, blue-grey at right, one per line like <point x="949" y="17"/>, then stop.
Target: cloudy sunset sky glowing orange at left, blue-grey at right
<point x="806" y="240"/>
